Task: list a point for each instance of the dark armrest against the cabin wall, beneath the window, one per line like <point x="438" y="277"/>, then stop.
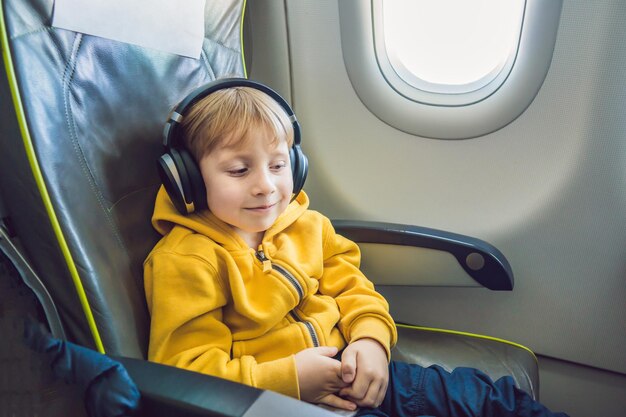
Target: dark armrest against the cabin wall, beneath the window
<point x="483" y="262"/>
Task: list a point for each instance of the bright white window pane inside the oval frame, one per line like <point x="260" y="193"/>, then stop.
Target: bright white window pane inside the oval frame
<point x="450" y="46"/>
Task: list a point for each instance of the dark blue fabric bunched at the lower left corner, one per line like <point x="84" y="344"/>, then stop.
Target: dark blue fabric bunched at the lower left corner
<point x="109" y="390"/>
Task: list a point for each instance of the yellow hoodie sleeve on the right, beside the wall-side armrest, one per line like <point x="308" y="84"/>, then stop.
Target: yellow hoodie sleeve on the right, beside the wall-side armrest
<point x="364" y="312"/>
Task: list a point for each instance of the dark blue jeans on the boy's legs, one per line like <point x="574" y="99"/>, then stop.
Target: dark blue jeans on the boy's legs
<point x="415" y="391"/>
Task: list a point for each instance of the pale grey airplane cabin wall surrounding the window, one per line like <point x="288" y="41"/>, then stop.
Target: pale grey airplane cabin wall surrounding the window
<point x="548" y="190"/>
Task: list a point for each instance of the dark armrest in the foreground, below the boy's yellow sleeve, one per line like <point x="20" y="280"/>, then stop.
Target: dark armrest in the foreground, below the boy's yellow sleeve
<point x="167" y="391"/>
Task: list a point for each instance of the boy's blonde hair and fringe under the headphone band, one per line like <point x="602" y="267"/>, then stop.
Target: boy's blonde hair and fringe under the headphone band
<point x="225" y="117"/>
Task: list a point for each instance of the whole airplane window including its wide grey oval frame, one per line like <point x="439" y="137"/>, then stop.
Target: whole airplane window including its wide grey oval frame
<point x="448" y="69"/>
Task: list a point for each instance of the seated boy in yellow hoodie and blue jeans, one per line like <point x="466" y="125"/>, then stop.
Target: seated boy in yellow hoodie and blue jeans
<point x="260" y="290"/>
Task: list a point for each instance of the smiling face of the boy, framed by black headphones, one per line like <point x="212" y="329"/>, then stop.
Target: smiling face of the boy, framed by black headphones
<point x="250" y="185"/>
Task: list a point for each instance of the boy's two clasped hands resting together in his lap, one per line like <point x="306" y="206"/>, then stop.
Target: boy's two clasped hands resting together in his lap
<point x="359" y="379"/>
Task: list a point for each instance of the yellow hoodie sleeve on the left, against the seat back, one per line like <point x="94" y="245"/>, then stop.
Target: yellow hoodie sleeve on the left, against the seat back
<point x="185" y="299"/>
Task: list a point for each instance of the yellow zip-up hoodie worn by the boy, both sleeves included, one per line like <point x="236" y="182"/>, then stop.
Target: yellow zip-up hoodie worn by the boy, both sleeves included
<point x="222" y="308"/>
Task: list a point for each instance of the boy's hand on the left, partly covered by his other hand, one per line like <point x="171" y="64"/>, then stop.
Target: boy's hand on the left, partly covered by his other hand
<point x="319" y="377"/>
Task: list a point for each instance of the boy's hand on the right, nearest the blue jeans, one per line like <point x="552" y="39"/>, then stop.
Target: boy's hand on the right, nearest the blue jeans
<point x="364" y="366"/>
